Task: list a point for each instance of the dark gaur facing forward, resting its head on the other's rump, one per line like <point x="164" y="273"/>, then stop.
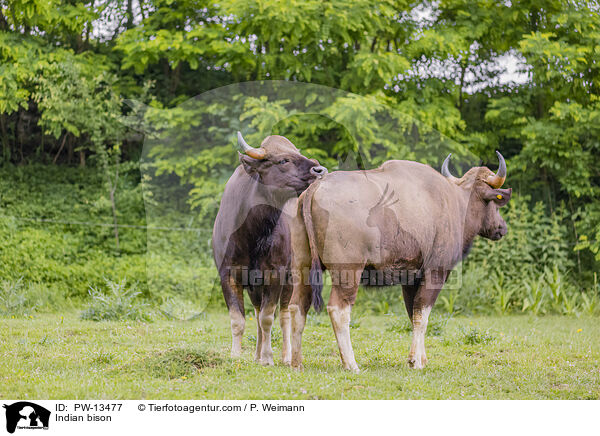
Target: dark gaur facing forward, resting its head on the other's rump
<point x="251" y="239"/>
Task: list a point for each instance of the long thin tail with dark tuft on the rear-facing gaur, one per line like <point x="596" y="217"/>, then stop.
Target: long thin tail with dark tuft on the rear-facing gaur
<point x="316" y="268"/>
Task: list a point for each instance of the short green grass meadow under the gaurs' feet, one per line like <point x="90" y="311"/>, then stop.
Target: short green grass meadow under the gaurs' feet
<point x="51" y="357"/>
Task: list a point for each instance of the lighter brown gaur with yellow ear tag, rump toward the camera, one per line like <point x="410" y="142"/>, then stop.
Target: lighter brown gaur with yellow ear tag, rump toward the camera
<point x="402" y="223"/>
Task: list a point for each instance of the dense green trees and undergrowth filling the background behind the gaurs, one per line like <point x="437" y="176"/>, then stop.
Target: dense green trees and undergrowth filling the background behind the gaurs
<point x="83" y="84"/>
